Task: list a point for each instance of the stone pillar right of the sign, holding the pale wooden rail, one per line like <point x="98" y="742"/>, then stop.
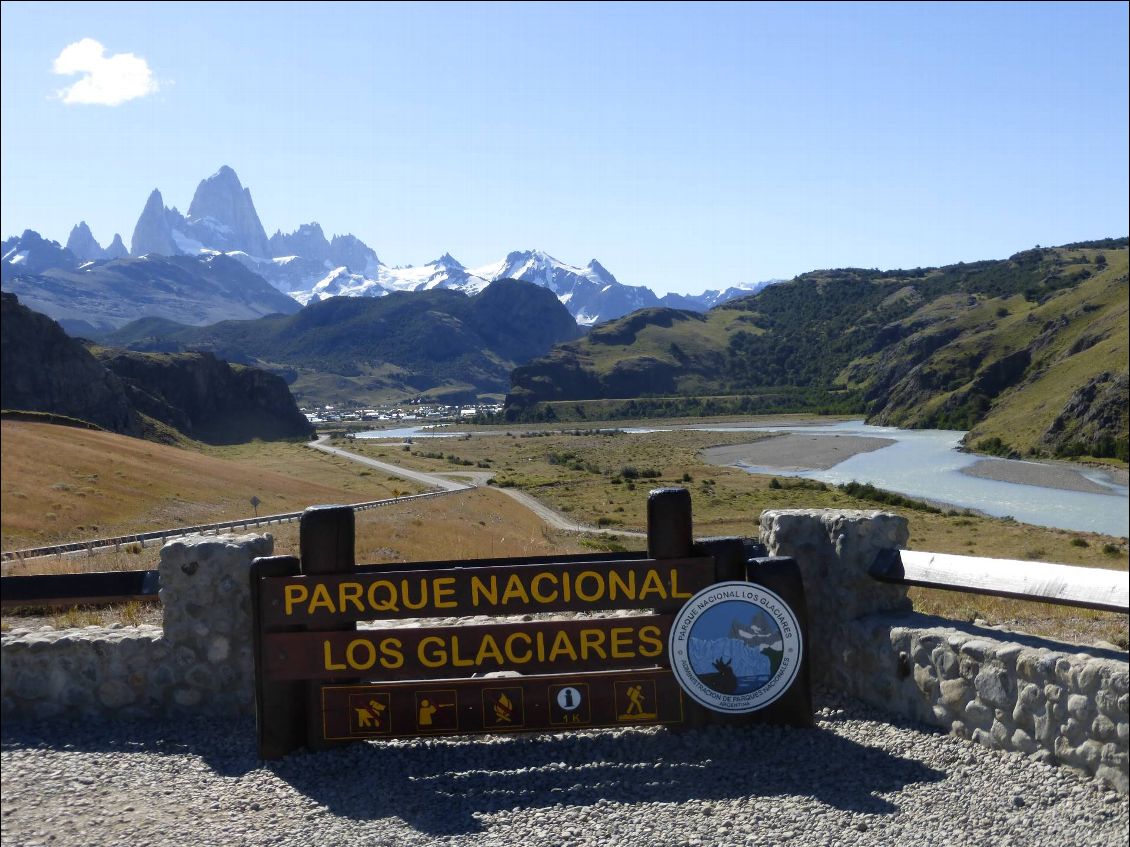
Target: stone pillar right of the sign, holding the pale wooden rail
<point x="835" y="552"/>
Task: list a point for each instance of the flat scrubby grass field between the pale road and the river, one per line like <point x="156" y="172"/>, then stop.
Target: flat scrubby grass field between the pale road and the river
<point x="603" y="479"/>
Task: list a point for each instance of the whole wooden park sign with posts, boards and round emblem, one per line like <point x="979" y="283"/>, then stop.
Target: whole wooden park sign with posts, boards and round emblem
<point x="719" y="639"/>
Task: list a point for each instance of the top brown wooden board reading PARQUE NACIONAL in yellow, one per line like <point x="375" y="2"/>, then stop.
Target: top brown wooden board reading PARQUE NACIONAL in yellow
<point x="663" y="586"/>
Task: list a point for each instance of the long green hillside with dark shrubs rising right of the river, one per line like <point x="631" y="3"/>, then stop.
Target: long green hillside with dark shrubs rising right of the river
<point x="1029" y="353"/>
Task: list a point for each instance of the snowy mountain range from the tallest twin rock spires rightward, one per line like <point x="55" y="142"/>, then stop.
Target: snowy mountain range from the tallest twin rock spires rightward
<point x="309" y="267"/>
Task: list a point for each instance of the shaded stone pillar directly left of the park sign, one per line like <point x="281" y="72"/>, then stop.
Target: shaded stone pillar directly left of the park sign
<point x="205" y="591"/>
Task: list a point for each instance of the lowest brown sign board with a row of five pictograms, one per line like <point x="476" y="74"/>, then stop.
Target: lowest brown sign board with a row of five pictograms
<point x="503" y="704"/>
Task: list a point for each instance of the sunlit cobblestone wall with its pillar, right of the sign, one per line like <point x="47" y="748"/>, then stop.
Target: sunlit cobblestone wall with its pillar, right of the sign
<point x="1055" y="702"/>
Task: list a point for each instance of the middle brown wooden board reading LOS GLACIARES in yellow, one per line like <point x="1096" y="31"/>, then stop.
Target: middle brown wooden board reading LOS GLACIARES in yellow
<point x="403" y="653"/>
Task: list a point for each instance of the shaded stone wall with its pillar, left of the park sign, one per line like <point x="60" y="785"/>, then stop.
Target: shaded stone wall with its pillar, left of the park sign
<point x="201" y="661"/>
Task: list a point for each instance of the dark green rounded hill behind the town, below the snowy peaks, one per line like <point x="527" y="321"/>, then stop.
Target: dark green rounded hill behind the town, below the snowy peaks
<point x="363" y="350"/>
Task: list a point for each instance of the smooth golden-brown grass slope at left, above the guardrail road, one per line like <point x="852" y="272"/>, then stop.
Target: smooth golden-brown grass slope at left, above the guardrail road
<point x="64" y="484"/>
